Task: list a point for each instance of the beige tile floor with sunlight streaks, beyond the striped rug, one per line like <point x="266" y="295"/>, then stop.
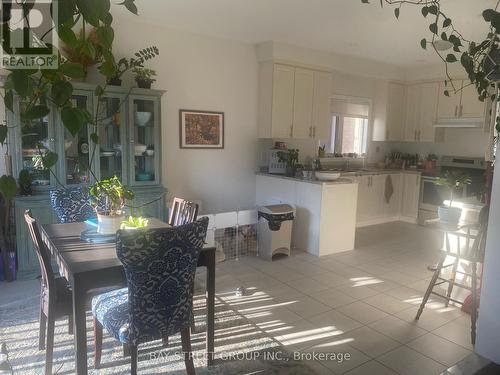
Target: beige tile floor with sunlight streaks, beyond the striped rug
<point x="361" y="302"/>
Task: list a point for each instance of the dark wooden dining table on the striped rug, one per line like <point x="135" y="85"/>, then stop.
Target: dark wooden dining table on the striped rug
<point x="91" y="266"/>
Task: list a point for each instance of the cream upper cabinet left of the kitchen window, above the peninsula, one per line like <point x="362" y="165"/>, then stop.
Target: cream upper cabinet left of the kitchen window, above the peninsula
<point x="293" y="102"/>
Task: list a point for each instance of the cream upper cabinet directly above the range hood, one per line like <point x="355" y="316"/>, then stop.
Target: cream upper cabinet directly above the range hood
<point x="462" y="107"/>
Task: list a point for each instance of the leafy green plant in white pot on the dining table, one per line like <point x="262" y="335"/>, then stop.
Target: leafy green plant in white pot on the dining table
<point x="111" y="194"/>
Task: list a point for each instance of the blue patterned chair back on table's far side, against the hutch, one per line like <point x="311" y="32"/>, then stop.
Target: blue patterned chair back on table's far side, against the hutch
<point x="72" y="204"/>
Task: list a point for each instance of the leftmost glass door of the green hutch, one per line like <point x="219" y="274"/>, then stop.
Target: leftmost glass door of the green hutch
<point x="36" y="139"/>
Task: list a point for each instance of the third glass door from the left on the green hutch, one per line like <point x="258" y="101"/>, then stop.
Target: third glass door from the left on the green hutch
<point x="111" y="137"/>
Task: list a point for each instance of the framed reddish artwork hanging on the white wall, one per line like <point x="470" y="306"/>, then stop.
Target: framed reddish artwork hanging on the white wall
<point x="201" y="129"/>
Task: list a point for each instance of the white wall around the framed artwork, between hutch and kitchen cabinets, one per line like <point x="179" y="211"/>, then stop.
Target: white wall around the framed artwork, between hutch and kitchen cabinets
<point x="205" y="74"/>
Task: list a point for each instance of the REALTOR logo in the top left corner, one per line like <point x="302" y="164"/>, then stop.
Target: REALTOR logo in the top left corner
<point x="29" y="37"/>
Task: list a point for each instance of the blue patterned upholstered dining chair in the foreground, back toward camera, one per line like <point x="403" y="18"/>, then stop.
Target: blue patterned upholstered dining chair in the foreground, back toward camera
<point x="160" y="266"/>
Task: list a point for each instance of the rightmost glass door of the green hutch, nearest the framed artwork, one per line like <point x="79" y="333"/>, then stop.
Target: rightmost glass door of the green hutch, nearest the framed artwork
<point x="144" y="140"/>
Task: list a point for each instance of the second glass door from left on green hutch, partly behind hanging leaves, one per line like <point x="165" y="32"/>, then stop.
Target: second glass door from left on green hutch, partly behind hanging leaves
<point x="77" y="148"/>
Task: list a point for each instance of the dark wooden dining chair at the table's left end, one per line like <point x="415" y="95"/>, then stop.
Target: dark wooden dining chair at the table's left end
<point x="55" y="295"/>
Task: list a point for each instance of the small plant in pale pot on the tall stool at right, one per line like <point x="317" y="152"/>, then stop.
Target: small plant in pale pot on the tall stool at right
<point x="454" y="181"/>
